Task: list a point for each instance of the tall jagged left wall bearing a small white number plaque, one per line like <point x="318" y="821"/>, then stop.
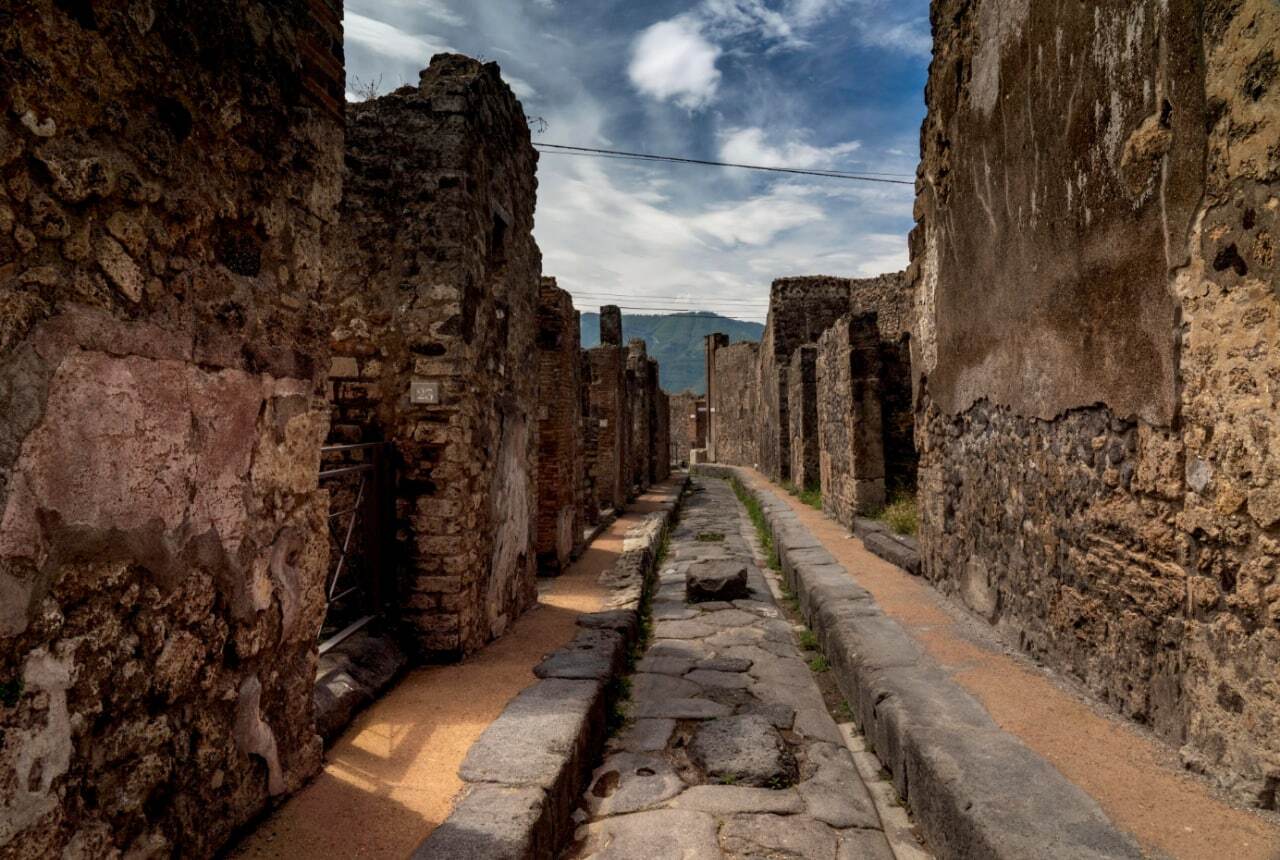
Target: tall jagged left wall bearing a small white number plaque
<point x="437" y="307"/>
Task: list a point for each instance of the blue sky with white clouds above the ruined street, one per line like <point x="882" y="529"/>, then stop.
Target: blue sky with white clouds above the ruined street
<point x="808" y="84"/>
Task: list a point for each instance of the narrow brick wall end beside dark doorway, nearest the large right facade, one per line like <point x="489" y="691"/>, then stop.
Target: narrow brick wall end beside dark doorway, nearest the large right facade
<point x="851" y="422"/>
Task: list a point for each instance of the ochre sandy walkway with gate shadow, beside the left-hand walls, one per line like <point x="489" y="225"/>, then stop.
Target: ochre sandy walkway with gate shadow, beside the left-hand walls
<point x="392" y="777"/>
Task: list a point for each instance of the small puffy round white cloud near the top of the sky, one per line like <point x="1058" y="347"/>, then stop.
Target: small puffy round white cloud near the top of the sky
<point x="674" y="61"/>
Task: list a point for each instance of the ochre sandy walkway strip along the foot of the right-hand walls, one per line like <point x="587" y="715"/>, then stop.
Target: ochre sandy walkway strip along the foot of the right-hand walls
<point x="1171" y="813"/>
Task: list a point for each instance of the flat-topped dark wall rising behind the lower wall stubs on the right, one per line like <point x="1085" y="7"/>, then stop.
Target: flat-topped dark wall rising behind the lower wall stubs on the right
<point x="801" y="309"/>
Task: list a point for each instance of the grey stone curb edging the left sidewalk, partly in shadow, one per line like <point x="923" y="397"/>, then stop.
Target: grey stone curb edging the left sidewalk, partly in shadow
<point x="527" y="772"/>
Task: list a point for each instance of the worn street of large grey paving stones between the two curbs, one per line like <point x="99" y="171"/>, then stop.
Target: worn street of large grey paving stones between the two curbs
<point x="728" y="735"/>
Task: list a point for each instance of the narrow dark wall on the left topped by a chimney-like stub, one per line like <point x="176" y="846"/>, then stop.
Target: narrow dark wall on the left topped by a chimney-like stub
<point x="609" y="394"/>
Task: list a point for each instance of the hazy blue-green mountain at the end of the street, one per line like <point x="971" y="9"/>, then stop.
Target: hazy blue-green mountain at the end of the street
<point x="675" y="341"/>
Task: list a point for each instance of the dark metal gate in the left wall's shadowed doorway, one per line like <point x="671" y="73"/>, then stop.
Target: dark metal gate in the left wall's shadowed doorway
<point x="360" y="537"/>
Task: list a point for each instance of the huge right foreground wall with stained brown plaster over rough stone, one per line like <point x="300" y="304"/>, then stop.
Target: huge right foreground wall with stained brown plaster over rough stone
<point x="1099" y="468"/>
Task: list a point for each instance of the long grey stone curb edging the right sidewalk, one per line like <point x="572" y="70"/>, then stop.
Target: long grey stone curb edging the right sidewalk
<point x="975" y="790"/>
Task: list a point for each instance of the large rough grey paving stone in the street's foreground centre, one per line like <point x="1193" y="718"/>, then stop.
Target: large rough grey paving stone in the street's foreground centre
<point x="747" y="749"/>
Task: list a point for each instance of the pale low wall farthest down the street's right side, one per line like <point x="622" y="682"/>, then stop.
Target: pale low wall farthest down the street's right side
<point x="735" y="404"/>
